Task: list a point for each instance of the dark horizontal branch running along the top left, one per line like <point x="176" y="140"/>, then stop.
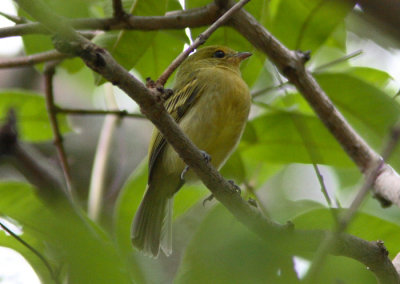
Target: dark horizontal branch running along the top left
<point x="173" y="20"/>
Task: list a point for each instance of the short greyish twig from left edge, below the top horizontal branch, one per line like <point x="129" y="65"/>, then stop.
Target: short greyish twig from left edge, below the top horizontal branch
<point x="37" y="58"/>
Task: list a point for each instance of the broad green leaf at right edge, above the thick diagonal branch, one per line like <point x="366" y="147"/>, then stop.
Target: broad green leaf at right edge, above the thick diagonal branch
<point x="369" y="109"/>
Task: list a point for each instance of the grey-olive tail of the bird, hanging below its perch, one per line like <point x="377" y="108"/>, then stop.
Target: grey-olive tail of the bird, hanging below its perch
<point x="152" y="226"/>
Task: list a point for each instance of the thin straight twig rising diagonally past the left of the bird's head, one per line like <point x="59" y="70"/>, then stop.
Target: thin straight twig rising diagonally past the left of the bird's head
<point x="198" y="41"/>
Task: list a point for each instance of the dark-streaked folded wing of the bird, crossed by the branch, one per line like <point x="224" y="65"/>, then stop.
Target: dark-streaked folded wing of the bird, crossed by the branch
<point x="177" y="105"/>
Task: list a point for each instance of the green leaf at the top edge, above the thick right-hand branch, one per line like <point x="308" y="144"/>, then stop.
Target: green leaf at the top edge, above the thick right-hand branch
<point x="307" y="24"/>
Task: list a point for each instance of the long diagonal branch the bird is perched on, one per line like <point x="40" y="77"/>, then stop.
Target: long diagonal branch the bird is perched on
<point x="98" y="59"/>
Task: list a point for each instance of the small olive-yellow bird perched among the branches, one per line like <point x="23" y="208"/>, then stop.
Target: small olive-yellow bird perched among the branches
<point x="211" y="104"/>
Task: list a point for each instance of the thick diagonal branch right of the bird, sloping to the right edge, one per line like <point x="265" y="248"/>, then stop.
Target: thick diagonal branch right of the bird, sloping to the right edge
<point x="291" y="64"/>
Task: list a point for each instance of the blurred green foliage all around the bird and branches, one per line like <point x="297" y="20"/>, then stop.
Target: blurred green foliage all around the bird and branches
<point x="210" y="245"/>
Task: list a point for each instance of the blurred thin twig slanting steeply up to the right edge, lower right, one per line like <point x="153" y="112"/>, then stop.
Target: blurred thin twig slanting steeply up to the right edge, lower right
<point x="345" y="220"/>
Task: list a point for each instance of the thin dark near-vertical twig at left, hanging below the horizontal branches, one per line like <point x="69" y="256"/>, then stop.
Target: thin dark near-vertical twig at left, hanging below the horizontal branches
<point x="49" y="95"/>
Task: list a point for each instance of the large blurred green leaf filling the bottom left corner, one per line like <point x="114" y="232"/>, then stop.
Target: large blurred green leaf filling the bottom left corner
<point x="68" y="237"/>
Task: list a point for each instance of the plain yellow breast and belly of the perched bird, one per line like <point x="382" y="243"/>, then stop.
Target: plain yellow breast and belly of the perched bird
<point x="216" y="121"/>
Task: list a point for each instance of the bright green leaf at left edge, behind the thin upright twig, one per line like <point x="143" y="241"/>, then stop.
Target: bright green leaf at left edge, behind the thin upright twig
<point x="32" y="119"/>
